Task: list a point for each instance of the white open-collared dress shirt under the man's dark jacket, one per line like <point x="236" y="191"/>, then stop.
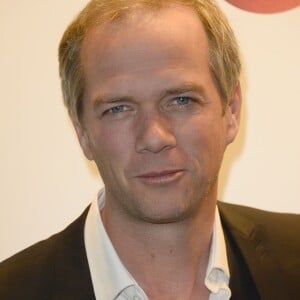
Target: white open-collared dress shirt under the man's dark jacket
<point x="112" y="281"/>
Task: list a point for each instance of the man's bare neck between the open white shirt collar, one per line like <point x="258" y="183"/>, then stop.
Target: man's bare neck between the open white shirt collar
<point x="168" y="261"/>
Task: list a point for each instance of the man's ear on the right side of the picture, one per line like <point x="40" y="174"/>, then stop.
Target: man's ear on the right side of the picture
<point x="232" y="113"/>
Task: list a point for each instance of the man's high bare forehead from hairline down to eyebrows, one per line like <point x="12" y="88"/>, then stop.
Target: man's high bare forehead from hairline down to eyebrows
<point x="146" y="55"/>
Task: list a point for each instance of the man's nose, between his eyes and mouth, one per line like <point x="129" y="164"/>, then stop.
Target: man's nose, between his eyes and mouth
<point x="154" y="134"/>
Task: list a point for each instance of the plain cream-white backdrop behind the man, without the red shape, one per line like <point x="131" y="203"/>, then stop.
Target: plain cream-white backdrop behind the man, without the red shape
<point x="45" y="180"/>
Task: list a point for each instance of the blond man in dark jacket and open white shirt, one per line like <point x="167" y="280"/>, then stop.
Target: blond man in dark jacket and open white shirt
<point x="152" y="88"/>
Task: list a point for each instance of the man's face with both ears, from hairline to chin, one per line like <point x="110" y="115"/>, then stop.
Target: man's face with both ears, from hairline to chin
<point x="152" y="115"/>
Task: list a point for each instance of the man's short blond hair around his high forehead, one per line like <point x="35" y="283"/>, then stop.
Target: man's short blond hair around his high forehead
<point x="223" y="50"/>
